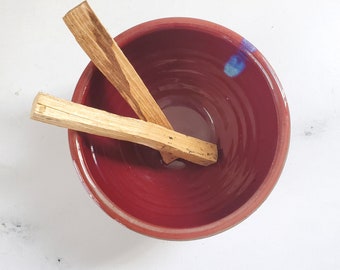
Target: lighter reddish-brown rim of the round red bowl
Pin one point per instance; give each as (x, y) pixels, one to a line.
(260, 195)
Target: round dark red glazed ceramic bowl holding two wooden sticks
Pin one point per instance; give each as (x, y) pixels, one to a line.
(212, 84)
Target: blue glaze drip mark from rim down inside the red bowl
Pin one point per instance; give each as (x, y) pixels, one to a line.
(237, 62)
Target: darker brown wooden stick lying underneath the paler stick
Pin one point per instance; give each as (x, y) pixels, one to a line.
(111, 61)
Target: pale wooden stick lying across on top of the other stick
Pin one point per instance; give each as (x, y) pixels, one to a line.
(67, 114)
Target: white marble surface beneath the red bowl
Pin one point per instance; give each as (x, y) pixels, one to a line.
(47, 220)
